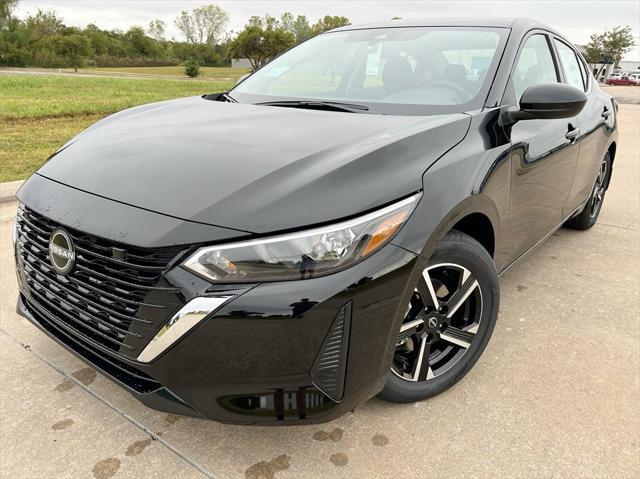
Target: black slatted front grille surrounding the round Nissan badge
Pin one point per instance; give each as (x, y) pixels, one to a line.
(114, 296)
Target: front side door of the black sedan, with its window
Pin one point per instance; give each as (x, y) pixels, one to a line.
(544, 153)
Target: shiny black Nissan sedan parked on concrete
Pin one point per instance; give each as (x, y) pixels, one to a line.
(331, 229)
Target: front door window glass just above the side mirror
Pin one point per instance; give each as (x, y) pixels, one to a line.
(535, 65)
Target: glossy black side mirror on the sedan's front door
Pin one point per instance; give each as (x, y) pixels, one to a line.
(549, 101)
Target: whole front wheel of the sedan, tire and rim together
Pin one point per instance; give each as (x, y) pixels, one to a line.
(465, 287)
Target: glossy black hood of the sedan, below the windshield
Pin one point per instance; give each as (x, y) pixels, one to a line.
(253, 168)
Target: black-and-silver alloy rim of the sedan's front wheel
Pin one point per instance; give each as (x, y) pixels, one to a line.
(441, 323)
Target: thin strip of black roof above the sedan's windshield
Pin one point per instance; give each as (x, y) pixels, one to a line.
(494, 22)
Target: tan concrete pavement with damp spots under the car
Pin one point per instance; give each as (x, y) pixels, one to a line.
(556, 394)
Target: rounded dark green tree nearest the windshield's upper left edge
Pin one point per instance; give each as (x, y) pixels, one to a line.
(260, 41)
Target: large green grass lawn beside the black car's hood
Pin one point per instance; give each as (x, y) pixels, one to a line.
(38, 114)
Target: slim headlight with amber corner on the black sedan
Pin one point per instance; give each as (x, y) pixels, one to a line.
(305, 254)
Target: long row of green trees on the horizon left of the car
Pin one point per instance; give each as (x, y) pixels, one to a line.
(43, 40)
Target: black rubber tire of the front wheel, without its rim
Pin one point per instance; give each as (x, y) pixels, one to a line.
(460, 249)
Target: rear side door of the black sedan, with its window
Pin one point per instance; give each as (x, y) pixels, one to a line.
(593, 121)
